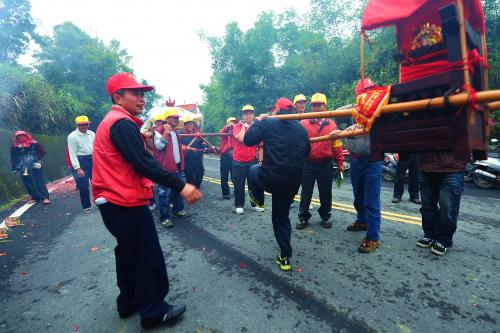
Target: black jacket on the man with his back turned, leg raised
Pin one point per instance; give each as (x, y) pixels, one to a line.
(286, 145)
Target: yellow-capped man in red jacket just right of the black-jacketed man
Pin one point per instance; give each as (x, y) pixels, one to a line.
(319, 165)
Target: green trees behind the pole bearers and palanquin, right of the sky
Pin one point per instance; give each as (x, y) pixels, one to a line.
(284, 55)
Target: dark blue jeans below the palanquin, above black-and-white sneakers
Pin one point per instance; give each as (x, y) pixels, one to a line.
(441, 193)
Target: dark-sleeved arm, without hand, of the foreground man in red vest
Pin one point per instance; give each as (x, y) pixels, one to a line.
(127, 139)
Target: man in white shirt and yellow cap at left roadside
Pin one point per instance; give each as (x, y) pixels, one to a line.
(80, 148)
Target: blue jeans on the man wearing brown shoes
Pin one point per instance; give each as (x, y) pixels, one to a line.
(366, 183)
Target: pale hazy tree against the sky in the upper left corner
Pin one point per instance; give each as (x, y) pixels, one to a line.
(16, 29)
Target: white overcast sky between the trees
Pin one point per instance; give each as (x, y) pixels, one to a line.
(161, 36)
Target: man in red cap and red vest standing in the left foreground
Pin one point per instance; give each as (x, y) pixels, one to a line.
(122, 169)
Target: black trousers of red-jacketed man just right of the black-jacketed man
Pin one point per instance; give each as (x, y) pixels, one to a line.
(322, 173)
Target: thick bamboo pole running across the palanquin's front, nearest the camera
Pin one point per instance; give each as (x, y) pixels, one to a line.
(482, 97)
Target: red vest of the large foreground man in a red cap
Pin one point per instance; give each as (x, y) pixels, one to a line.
(113, 178)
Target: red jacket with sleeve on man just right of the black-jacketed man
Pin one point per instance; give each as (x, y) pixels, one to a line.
(321, 151)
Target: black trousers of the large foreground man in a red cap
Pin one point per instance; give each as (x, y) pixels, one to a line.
(141, 273)
